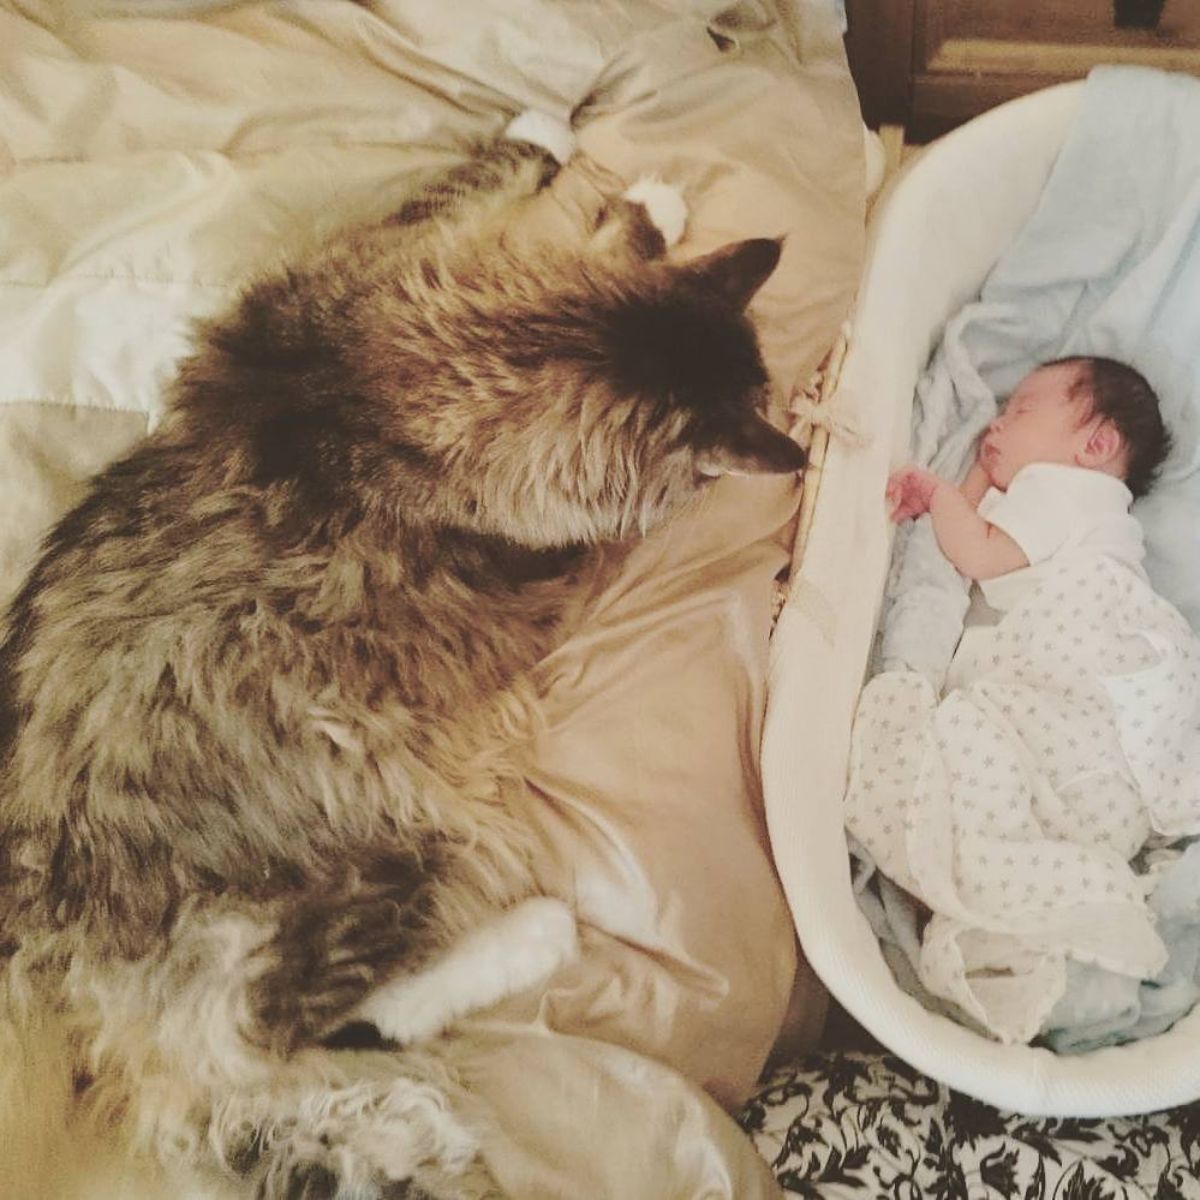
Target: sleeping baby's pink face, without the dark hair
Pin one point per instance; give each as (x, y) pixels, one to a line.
(1041, 423)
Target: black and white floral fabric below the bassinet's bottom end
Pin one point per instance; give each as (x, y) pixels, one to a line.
(850, 1126)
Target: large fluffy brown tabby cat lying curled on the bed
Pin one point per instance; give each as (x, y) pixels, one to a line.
(263, 695)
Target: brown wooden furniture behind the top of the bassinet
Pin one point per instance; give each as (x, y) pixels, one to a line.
(929, 65)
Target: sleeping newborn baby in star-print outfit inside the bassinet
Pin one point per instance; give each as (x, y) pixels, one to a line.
(1067, 735)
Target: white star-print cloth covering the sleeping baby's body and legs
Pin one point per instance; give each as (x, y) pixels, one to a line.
(1012, 806)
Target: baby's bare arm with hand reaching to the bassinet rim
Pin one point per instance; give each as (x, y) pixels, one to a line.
(976, 549)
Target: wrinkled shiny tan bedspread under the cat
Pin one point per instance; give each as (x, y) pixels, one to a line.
(148, 166)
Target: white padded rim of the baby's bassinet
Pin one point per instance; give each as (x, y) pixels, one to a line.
(935, 236)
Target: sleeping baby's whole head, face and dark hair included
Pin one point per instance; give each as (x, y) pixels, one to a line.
(1079, 412)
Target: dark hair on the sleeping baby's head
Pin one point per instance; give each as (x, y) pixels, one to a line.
(1123, 397)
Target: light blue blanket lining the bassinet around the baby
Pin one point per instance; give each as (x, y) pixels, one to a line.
(1109, 265)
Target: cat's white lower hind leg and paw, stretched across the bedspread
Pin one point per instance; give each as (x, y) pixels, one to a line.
(524, 947)
